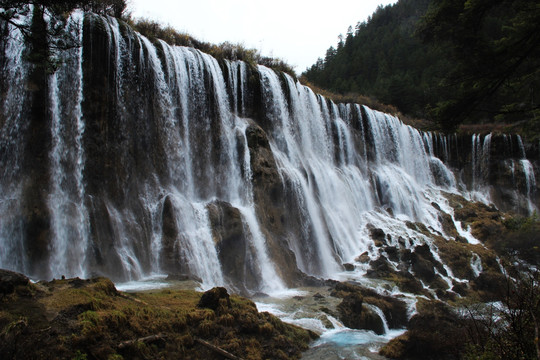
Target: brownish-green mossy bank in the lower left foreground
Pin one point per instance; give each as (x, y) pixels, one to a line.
(67, 318)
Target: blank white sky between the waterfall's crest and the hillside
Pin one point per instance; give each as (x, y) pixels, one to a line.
(297, 31)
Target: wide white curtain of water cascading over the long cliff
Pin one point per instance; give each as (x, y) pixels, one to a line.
(152, 144)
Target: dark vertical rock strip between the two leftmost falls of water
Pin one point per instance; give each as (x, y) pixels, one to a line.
(36, 174)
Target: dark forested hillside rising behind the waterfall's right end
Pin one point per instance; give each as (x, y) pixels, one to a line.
(451, 62)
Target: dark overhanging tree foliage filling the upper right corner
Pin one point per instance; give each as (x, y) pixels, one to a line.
(495, 45)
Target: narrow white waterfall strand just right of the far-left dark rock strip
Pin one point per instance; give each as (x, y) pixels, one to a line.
(66, 201)
